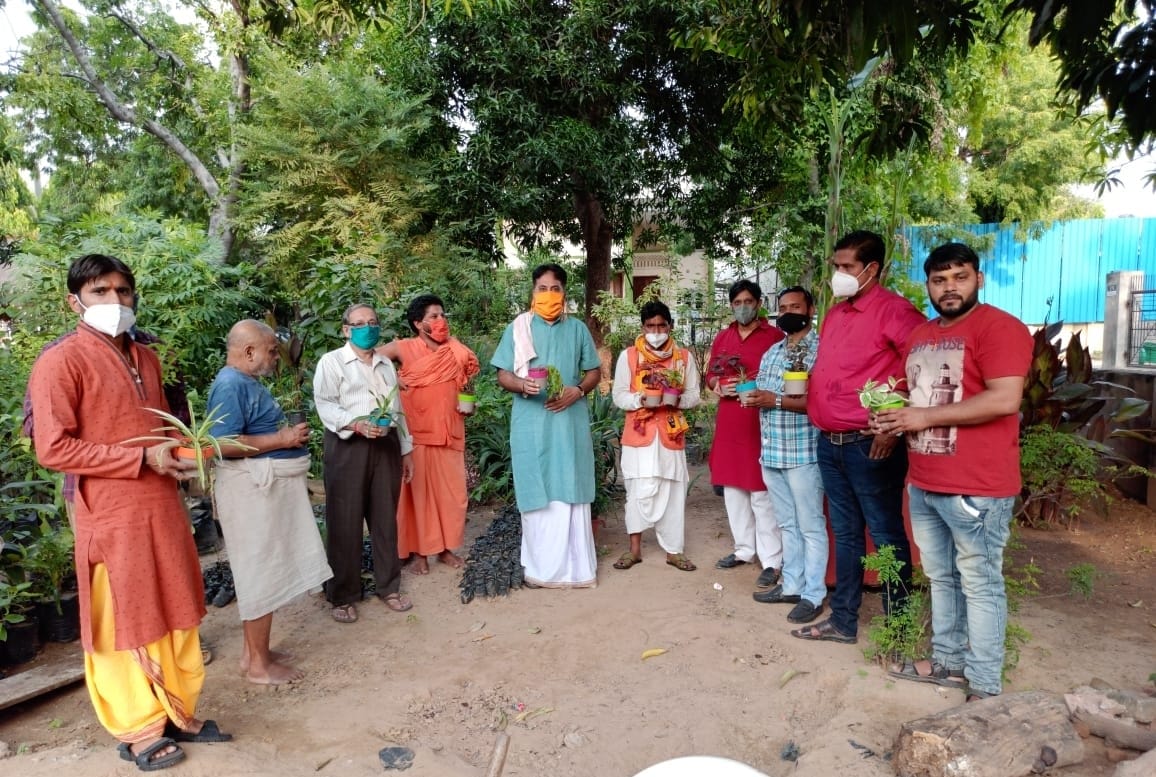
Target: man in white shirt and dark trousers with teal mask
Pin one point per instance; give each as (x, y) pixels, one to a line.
(366, 462)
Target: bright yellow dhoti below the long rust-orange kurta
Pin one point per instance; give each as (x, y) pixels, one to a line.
(137, 692)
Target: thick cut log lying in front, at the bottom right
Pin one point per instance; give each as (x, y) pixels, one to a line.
(1009, 736)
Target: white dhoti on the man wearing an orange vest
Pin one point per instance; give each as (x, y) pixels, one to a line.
(656, 478)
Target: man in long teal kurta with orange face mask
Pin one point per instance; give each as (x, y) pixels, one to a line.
(550, 436)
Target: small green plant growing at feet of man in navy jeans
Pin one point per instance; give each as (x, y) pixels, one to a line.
(902, 634)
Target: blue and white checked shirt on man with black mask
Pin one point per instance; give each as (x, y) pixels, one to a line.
(789, 440)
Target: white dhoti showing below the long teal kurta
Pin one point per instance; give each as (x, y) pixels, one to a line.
(558, 547)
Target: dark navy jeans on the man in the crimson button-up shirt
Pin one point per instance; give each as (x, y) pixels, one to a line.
(863, 493)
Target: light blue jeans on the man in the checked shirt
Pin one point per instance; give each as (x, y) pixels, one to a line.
(797, 499)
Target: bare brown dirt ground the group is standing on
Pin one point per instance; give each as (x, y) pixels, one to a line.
(562, 672)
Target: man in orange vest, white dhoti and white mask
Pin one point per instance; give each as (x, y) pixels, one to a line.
(654, 438)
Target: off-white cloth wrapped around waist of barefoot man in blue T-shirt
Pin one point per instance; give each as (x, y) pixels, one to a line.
(276, 551)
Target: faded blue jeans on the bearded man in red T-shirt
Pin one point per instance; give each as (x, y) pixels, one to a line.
(961, 543)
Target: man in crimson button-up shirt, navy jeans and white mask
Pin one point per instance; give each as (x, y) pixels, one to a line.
(862, 339)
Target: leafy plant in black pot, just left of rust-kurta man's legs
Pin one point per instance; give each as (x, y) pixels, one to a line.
(51, 563)
